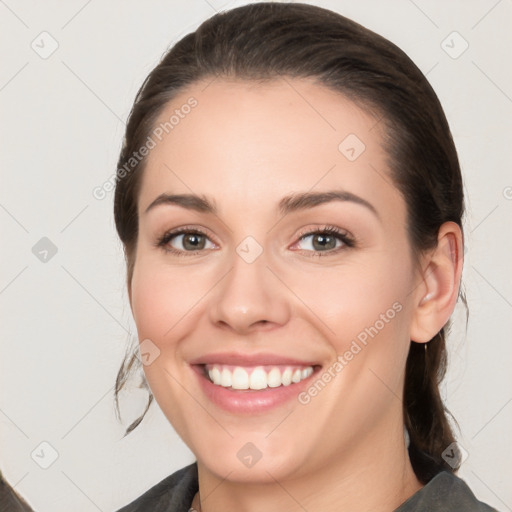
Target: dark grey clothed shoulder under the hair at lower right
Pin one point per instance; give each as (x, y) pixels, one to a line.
(446, 492)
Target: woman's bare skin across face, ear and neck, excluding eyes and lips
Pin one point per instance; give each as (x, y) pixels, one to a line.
(246, 146)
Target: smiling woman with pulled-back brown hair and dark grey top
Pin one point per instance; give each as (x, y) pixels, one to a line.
(290, 203)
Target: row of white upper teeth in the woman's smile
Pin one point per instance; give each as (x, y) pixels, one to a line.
(259, 378)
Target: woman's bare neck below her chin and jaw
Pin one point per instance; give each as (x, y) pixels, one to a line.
(376, 475)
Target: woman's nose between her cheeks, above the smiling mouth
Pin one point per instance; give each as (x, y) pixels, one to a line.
(249, 298)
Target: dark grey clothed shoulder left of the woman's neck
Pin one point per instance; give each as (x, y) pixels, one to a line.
(173, 494)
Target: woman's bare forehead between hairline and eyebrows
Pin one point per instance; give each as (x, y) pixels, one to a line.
(249, 143)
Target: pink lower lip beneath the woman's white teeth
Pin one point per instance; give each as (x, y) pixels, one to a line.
(248, 400)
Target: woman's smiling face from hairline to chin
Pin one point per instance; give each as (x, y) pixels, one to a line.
(295, 259)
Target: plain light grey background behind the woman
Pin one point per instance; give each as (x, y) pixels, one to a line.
(65, 322)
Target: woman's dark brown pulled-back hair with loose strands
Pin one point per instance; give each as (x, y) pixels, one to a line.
(263, 41)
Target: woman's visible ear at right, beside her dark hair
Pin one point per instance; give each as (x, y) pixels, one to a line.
(436, 296)
